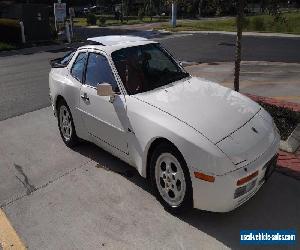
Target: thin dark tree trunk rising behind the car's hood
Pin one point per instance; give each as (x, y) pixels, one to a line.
(238, 48)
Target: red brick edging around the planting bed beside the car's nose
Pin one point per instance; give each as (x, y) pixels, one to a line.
(288, 163)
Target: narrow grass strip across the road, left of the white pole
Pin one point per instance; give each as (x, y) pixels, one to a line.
(111, 21)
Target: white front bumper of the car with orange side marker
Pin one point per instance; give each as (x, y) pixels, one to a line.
(219, 196)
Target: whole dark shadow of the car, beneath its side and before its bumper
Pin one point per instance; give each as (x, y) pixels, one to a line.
(275, 206)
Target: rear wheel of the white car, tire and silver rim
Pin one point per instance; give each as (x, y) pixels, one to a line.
(67, 131)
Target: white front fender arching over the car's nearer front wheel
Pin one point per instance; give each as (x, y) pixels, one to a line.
(148, 123)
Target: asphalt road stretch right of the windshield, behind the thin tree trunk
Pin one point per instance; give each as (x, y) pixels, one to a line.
(221, 48)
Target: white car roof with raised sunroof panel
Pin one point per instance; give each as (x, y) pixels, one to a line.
(113, 43)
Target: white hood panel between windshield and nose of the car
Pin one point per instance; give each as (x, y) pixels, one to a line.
(211, 109)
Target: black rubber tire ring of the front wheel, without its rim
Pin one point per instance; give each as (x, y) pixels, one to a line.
(187, 202)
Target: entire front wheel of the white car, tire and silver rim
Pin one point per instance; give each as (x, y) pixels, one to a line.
(170, 179)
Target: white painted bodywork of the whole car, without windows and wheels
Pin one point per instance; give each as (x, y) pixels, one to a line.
(209, 124)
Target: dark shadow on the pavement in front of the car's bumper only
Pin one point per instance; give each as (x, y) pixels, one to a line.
(275, 206)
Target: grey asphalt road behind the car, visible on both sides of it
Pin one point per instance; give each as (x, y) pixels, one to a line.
(24, 77)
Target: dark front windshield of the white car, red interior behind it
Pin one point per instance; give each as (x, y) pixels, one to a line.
(146, 67)
